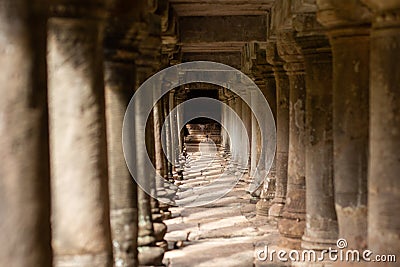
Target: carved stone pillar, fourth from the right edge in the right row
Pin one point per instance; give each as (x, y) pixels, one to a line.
(292, 225)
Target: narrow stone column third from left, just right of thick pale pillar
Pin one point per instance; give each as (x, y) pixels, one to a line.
(119, 81)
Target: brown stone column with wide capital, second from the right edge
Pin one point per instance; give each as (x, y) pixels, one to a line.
(349, 38)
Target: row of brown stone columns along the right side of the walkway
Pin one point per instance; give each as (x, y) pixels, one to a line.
(337, 111)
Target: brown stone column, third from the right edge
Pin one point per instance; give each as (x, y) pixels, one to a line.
(321, 222)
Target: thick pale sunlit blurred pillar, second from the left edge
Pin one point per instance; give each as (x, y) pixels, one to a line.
(80, 210)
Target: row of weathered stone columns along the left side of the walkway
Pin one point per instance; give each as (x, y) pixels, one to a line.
(70, 128)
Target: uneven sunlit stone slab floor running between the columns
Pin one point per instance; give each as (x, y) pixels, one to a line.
(225, 232)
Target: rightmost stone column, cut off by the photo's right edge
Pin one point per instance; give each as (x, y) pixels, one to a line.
(384, 167)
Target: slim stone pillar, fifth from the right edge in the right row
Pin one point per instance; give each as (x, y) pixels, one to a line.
(282, 140)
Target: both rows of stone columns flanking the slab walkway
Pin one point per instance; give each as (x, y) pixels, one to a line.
(329, 72)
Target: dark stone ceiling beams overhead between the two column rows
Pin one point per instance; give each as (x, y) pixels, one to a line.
(217, 30)
